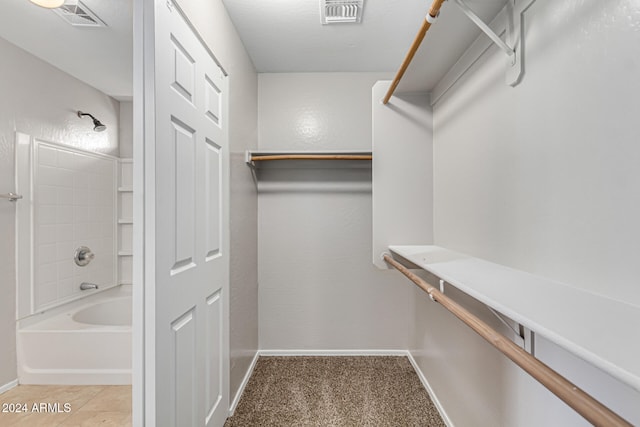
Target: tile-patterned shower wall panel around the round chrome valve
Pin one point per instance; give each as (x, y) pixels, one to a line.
(74, 205)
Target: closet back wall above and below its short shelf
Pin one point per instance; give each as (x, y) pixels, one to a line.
(318, 287)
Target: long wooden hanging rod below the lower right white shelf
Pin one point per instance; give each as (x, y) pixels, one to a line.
(589, 408)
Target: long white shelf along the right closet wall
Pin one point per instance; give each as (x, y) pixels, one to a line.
(597, 329)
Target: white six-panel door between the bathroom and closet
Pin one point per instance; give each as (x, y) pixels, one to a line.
(191, 264)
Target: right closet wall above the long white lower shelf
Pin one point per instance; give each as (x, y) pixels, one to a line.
(543, 177)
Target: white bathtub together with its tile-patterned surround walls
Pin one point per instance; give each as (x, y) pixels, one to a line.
(66, 335)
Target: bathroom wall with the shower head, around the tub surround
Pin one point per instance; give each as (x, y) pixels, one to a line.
(41, 101)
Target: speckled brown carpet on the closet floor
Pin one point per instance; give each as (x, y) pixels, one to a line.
(334, 391)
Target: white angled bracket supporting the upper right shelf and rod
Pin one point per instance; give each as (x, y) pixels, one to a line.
(513, 45)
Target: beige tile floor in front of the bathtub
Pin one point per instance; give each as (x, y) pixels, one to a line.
(106, 406)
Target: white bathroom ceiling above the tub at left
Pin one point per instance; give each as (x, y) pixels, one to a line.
(100, 57)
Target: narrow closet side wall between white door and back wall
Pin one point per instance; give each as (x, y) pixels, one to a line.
(213, 23)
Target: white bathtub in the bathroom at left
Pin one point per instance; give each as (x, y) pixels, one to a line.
(86, 342)
